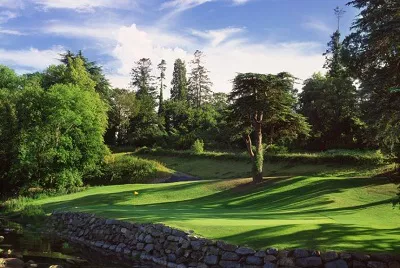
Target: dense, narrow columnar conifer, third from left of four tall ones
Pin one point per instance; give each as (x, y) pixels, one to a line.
(179, 90)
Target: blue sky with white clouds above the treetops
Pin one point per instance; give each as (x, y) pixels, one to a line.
(236, 36)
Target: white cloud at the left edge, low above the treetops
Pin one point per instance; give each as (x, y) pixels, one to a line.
(32, 58)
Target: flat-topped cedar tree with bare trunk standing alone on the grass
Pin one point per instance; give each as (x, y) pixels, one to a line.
(262, 101)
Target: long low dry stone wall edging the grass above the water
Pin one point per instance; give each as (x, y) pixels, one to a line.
(163, 246)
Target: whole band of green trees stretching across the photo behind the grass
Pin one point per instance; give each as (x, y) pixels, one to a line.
(55, 124)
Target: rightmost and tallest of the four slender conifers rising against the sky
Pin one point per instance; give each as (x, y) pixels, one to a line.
(199, 82)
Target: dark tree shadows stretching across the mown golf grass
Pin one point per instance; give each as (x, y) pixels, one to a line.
(284, 200)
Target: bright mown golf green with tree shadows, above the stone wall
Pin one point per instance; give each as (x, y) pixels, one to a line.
(337, 213)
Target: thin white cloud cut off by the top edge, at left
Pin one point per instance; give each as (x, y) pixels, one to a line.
(85, 5)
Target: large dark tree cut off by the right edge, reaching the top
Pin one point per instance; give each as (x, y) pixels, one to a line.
(372, 52)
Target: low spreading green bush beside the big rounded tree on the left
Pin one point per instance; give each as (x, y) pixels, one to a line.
(127, 169)
